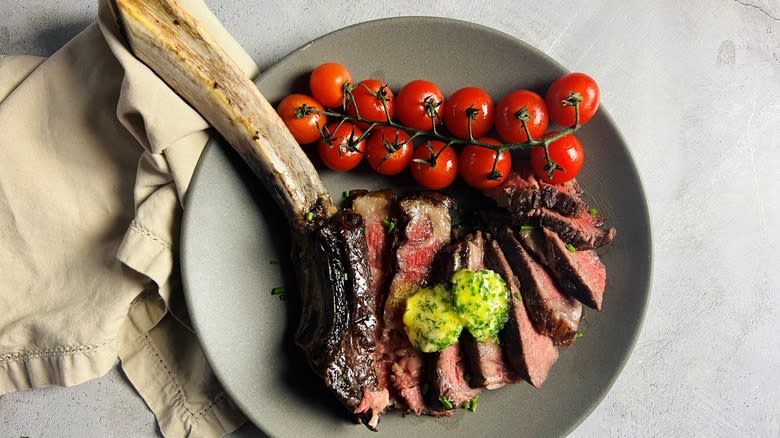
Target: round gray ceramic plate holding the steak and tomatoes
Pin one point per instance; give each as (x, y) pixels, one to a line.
(232, 232)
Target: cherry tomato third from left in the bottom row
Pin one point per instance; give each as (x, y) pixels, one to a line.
(389, 150)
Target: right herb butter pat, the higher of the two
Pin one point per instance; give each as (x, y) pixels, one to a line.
(481, 300)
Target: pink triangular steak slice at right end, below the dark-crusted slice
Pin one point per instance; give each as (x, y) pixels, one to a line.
(580, 273)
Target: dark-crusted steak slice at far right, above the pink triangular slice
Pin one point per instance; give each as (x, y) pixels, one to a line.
(585, 231)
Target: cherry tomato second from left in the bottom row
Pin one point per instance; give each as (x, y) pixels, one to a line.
(340, 150)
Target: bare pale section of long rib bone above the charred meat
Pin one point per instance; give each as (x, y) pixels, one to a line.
(171, 42)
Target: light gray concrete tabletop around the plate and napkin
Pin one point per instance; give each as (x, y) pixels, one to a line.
(694, 87)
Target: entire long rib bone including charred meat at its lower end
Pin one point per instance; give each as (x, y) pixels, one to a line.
(340, 345)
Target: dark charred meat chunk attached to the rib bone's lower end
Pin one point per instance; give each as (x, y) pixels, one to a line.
(338, 328)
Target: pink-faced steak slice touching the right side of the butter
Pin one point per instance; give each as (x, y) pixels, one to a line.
(529, 354)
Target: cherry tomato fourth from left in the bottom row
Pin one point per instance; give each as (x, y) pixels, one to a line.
(441, 172)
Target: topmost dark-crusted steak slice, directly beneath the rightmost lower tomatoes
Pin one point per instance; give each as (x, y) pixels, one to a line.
(521, 193)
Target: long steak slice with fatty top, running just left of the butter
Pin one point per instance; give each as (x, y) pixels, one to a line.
(426, 226)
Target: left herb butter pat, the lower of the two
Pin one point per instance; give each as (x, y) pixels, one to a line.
(430, 319)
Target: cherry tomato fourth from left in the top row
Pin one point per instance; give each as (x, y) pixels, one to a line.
(469, 103)
